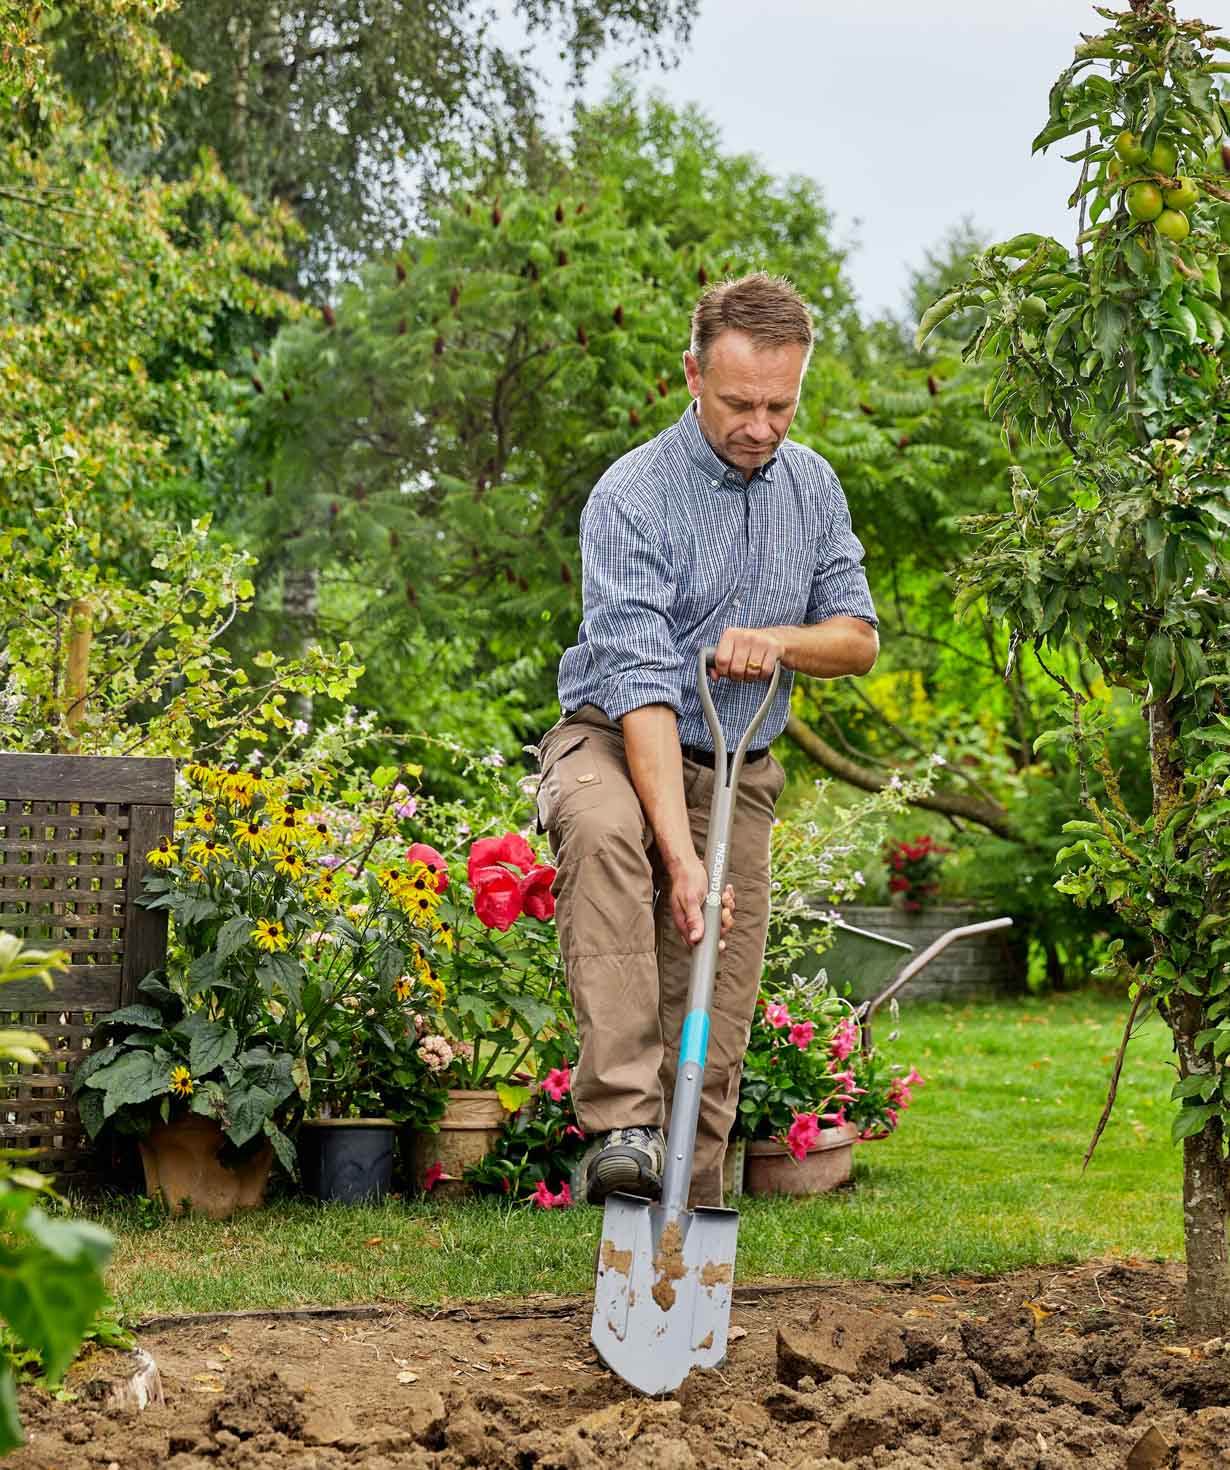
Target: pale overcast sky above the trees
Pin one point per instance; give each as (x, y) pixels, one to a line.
(909, 114)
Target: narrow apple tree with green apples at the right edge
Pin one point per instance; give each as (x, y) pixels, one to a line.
(1116, 356)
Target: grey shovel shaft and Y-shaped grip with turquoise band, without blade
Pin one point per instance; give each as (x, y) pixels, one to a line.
(694, 1044)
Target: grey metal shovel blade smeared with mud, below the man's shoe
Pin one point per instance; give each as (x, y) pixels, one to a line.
(662, 1303)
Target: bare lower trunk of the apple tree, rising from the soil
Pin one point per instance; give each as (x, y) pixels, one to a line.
(1206, 1196)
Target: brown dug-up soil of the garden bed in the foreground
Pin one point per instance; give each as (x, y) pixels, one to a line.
(1069, 1368)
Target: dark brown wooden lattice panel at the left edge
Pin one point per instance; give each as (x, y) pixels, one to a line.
(74, 836)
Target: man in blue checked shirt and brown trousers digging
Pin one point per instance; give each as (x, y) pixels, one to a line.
(719, 531)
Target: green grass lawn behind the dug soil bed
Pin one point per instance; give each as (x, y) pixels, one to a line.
(984, 1177)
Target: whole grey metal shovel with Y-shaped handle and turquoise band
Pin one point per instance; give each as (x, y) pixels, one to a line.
(666, 1274)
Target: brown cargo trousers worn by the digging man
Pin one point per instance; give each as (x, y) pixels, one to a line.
(627, 965)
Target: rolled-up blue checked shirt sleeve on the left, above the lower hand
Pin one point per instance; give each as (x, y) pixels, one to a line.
(628, 590)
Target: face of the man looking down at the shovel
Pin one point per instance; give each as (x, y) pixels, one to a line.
(747, 396)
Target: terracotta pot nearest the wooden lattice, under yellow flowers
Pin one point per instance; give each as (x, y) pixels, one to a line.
(181, 1165)
